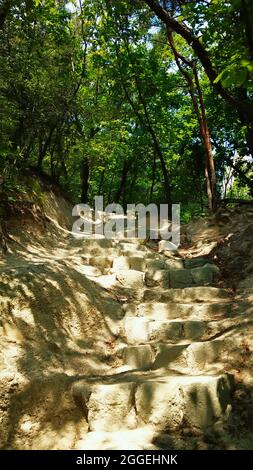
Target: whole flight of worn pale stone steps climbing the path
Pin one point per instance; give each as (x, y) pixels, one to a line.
(171, 343)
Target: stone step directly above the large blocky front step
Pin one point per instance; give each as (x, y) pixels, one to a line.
(188, 358)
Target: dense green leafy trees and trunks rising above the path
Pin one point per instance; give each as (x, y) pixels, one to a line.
(138, 101)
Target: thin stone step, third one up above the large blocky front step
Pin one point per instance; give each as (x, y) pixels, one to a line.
(171, 311)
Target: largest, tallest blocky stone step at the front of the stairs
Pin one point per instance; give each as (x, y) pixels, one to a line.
(164, 402)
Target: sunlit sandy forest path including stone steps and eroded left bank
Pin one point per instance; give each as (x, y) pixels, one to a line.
(114, 345)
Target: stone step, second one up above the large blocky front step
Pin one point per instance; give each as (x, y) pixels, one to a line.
(140, 330)
